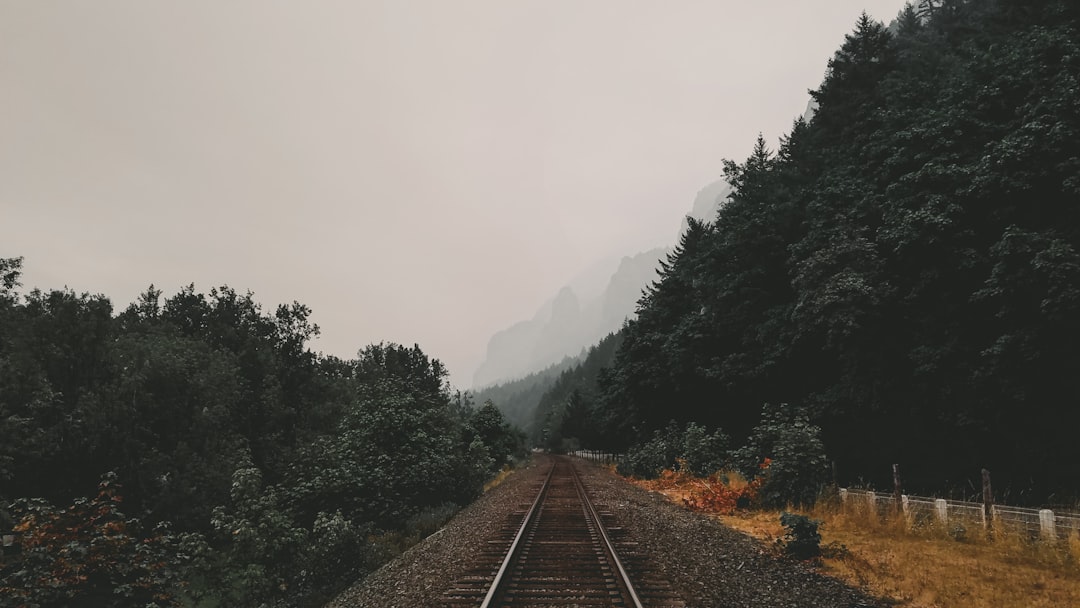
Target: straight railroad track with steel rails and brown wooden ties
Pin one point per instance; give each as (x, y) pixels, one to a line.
(559, 552)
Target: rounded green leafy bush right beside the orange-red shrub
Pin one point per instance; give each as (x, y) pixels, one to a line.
(798, 466)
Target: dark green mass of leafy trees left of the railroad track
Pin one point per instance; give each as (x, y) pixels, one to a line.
(192, 451)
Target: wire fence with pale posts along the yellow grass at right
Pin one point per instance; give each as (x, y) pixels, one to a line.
(1036, 523)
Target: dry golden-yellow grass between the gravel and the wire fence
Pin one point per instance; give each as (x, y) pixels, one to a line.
(926, 569)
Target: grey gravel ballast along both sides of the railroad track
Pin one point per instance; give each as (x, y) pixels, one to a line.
(708, 564)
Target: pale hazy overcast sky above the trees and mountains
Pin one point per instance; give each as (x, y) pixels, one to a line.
(414, 171)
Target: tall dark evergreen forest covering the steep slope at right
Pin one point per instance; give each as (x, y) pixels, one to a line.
(902, 274)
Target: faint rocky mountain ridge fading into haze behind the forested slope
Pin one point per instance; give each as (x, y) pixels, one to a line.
(569, 323)
